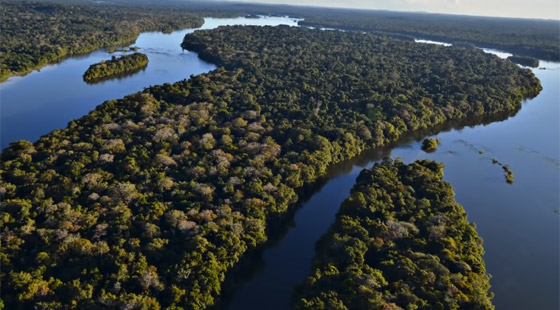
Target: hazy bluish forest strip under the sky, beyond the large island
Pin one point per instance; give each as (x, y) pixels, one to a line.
(526, 37)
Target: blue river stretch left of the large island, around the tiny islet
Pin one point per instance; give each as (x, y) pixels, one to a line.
(44, 100)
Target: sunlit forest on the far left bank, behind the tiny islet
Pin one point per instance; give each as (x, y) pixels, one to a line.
(37, 33)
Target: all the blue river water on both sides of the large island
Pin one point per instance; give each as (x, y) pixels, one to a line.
(517, 222)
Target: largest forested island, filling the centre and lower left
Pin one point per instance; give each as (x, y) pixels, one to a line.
(148, 201)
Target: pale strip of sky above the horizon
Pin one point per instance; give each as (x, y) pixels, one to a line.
(547, 9)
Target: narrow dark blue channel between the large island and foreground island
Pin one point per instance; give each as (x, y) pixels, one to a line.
(285, 263)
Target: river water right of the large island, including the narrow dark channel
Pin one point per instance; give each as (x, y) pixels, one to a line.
(517, 221)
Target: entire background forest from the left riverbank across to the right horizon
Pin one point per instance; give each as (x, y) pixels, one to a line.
(37, 33)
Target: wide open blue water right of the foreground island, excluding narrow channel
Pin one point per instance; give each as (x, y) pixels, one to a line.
(517, 221)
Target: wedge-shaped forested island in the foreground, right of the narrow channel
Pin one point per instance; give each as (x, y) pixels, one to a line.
(400, 241)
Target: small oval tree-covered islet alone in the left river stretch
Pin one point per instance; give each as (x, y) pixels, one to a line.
(116, 66)
